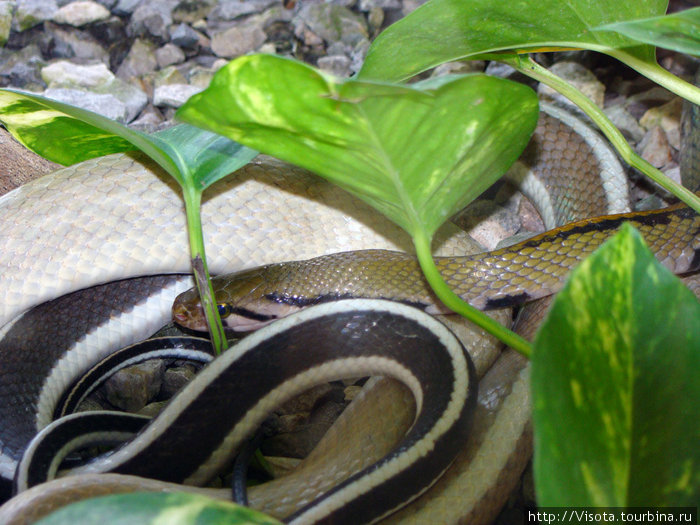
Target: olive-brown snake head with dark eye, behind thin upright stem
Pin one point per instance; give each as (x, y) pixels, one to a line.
(240, 299)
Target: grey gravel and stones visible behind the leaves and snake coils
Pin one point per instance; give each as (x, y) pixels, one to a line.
(136, 61)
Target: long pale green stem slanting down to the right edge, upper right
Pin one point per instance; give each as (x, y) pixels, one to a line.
(532, 69)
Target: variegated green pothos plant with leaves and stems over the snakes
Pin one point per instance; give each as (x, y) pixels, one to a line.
(369, 136)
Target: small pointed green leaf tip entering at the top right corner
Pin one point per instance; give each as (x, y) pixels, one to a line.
(679, 31)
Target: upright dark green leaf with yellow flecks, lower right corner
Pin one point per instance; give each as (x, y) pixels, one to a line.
(615, 381)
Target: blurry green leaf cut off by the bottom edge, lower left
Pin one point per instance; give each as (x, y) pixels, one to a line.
(177, 508)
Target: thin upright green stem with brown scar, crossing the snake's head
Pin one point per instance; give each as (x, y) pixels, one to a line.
(193, 200)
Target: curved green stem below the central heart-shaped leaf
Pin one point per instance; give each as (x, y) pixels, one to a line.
(457, 304)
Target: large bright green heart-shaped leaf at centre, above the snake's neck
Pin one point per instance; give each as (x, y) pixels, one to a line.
(417, 154)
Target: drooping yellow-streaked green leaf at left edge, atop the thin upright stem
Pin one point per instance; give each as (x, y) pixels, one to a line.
(67, 135)
